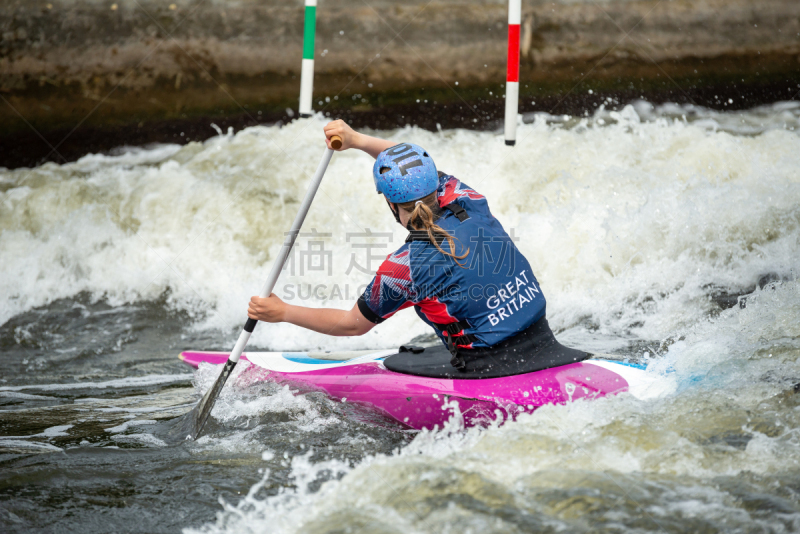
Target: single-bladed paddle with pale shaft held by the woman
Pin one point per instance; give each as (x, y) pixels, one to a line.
(196, 419)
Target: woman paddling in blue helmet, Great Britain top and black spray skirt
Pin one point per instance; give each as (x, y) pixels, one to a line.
(458, 268)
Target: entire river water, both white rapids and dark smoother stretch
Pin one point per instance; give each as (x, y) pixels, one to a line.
(669, 234)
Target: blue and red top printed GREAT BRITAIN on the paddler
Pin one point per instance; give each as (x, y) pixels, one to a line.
(491, 298)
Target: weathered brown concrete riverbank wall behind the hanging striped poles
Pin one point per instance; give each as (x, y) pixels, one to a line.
(100, 63)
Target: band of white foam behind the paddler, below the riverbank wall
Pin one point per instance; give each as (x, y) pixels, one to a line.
(616, 220)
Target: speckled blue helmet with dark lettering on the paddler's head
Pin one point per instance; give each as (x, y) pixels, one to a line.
(408, 173)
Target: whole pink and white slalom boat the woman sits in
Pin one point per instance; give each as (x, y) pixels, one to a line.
(420, 402)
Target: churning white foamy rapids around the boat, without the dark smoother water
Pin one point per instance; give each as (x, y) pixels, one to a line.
(635, 221)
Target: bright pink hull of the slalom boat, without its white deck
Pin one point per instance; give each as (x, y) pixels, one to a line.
(426, 403)
